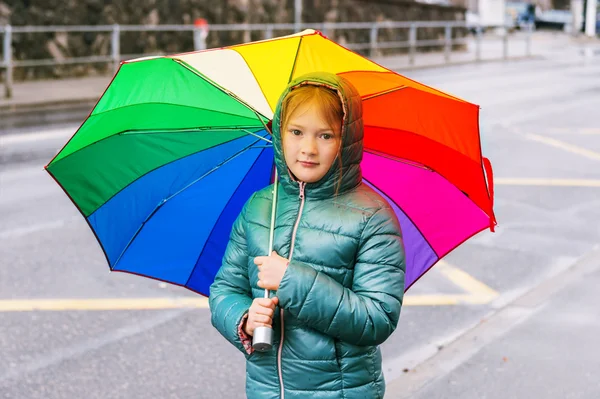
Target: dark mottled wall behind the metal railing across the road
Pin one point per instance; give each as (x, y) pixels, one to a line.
(61, 46)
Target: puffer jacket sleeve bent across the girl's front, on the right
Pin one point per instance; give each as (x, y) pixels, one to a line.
(366, 314)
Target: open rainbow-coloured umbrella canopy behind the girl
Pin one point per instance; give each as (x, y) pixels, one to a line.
(175, 146)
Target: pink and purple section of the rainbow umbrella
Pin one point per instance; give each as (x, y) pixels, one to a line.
(435, 216)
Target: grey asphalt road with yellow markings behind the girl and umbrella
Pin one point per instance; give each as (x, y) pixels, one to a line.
(510, 314)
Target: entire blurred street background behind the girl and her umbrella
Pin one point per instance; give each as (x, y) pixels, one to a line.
(508, 314)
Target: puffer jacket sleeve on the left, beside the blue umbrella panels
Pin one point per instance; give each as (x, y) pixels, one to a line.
(230, 294)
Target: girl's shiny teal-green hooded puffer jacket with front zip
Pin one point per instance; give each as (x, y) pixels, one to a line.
(342, 292)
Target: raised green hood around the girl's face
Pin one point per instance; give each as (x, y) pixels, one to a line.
(352, 139)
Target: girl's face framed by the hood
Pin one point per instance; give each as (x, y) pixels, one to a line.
(310, 145)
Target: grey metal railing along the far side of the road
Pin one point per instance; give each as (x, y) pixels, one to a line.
(372, 46)
